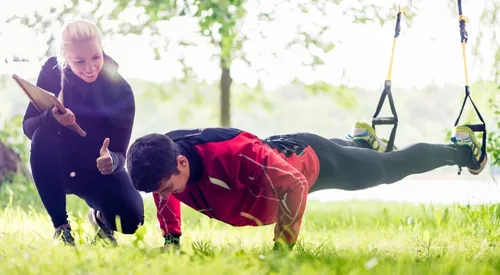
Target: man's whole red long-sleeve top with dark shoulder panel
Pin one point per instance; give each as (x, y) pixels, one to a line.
(241, 180)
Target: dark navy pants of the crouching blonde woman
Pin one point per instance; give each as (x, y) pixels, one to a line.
(57, 172)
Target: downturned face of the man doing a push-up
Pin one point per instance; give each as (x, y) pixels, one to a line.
(177, 182)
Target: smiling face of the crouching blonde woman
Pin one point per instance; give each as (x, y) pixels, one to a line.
(85, 59)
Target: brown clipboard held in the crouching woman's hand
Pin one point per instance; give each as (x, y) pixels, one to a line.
(44, 100)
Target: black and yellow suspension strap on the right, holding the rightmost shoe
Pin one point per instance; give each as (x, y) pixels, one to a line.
(463, 40)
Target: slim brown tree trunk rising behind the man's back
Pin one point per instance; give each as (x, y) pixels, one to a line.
(225, 96)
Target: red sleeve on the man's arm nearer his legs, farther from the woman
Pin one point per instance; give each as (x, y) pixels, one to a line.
(259, 164)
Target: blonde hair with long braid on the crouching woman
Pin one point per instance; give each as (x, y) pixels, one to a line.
(79, 30)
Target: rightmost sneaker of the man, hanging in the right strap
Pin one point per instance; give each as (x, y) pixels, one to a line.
(463, 135)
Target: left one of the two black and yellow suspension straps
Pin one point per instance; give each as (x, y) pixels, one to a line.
(387, 93)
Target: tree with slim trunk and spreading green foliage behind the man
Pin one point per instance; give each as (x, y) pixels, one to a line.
(224, 24)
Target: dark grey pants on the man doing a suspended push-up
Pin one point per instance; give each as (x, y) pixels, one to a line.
(350, 165)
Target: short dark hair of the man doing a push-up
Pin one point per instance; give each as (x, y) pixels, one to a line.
(151, 158)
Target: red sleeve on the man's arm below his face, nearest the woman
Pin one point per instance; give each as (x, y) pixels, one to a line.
(168, 214)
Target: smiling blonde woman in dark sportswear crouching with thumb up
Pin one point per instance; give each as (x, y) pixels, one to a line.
(96, 97)
